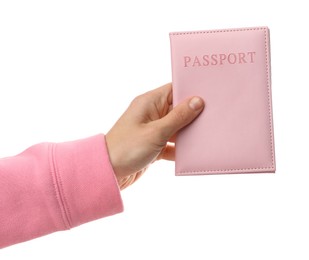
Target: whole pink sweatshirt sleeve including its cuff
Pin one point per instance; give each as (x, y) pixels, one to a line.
(56, 186)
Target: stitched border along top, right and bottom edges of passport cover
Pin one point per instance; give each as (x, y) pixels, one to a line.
(268, 91)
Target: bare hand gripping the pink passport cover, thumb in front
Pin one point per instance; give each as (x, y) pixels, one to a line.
(144, 132)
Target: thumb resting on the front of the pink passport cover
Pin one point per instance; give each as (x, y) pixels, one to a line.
(180, 116)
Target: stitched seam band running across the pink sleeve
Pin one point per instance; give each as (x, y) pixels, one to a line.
(58, 189)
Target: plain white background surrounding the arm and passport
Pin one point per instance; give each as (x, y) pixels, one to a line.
(68, 69)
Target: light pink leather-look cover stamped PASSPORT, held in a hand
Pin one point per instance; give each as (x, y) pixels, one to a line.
(230, 70)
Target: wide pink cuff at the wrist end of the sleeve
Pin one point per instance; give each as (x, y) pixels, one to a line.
(84, 180)
